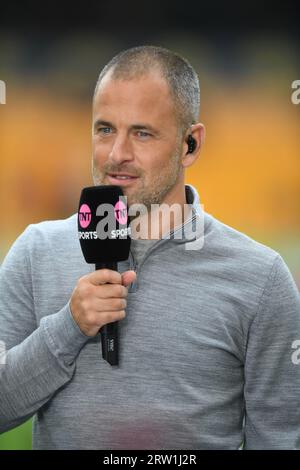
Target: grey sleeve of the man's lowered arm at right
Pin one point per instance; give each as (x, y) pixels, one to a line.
(272, 370)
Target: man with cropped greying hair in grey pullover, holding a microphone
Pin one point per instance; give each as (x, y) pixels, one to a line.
(207, 331)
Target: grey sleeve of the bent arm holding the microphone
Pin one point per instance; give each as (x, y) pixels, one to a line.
(36, 360)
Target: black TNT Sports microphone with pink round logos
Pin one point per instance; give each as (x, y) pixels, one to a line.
(104, 239)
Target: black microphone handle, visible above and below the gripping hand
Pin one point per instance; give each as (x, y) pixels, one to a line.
(109, 332)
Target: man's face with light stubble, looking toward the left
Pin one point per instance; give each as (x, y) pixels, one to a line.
(135, 135)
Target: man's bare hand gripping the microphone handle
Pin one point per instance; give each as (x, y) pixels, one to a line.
(100, 298)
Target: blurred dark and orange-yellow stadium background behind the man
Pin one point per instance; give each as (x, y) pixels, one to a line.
(248, 174)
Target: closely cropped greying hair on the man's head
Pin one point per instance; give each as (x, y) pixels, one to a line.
(177, 71)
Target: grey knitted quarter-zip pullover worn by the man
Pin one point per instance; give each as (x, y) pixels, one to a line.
(208, 348)
